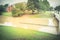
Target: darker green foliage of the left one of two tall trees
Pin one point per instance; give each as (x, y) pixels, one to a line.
(33, 4)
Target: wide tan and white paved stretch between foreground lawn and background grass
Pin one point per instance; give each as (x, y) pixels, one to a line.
(39, 24)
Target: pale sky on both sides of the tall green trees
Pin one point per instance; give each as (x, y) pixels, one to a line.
(53, 3)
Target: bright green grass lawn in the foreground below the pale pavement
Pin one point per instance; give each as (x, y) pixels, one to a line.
(13, 33)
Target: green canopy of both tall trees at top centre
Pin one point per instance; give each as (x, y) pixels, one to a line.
(38, 4)
